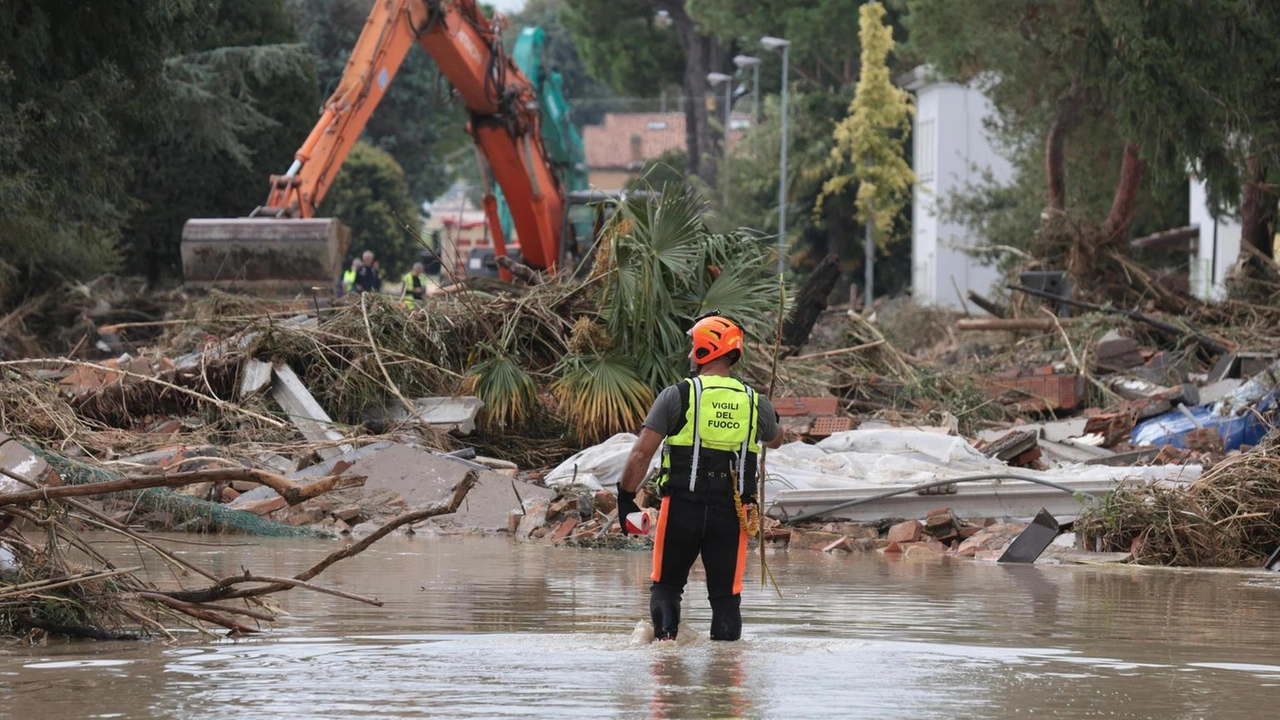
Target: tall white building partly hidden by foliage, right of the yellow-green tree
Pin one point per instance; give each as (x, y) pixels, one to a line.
(953, 151)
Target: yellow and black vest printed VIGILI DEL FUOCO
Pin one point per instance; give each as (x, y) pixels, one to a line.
(717, 441)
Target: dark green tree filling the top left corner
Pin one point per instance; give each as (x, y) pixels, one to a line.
(76, 79)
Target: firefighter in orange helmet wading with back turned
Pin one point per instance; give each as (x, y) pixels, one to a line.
(714, 426)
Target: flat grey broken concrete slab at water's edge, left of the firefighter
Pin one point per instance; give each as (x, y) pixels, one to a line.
(423, 479)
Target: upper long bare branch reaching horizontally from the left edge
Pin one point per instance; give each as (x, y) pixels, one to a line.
(292, 493)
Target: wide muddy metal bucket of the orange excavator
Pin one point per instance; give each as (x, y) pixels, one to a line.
(264, 256)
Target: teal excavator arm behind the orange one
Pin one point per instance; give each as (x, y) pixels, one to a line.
(560, 138)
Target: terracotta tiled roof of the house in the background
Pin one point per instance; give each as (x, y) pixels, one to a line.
(629, 140)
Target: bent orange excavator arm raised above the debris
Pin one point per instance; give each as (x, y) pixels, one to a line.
(502, 103)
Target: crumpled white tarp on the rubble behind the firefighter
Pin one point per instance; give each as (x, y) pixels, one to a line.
(861, 459)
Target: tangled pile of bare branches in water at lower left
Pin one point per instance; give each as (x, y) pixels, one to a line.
(56, 582)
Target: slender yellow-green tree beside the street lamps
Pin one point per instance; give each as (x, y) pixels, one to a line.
(874, 134)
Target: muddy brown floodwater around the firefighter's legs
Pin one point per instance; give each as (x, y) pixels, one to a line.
(486, 628)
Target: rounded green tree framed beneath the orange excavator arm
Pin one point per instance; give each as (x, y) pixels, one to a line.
(372, 198)
